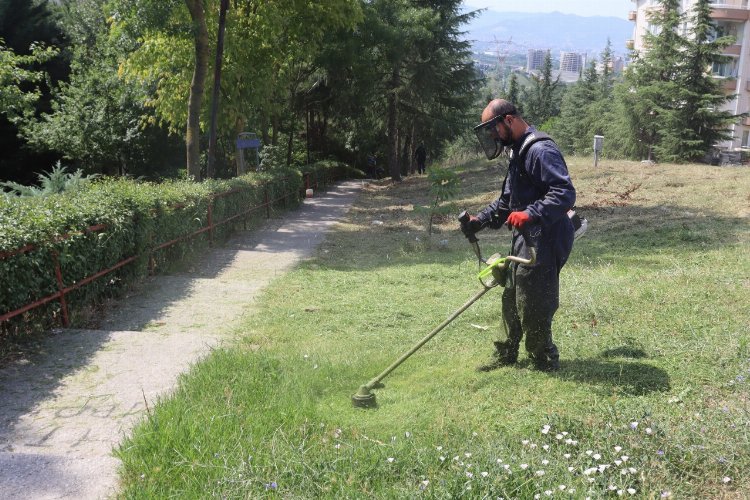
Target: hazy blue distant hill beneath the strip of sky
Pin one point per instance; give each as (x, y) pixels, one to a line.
(554, 30)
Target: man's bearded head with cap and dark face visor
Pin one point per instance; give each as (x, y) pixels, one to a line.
(501, 126)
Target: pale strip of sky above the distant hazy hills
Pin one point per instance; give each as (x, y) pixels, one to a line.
(613, 8)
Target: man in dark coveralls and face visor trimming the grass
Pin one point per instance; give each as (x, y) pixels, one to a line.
(536, 196)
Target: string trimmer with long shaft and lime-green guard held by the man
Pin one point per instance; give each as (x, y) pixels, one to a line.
(489, 277)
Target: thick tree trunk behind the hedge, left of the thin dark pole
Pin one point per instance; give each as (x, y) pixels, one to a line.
(193, 132)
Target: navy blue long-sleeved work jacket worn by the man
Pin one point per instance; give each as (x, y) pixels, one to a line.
(541, 186)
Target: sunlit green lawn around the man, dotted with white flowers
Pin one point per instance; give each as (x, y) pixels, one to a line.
(652, 400)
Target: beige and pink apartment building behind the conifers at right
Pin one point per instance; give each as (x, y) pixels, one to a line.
(732, 17)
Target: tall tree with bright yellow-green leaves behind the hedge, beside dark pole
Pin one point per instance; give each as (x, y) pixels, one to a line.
(266, 43)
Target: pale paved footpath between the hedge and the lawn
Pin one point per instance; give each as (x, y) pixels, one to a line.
(64, 409)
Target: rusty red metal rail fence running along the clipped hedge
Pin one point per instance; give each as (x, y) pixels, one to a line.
(63, 290)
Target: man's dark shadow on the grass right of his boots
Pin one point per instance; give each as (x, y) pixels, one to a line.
(628, 377)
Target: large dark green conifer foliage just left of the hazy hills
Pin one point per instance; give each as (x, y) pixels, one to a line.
(404, 76)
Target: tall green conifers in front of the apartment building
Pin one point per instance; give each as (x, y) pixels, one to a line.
(671, 102)
